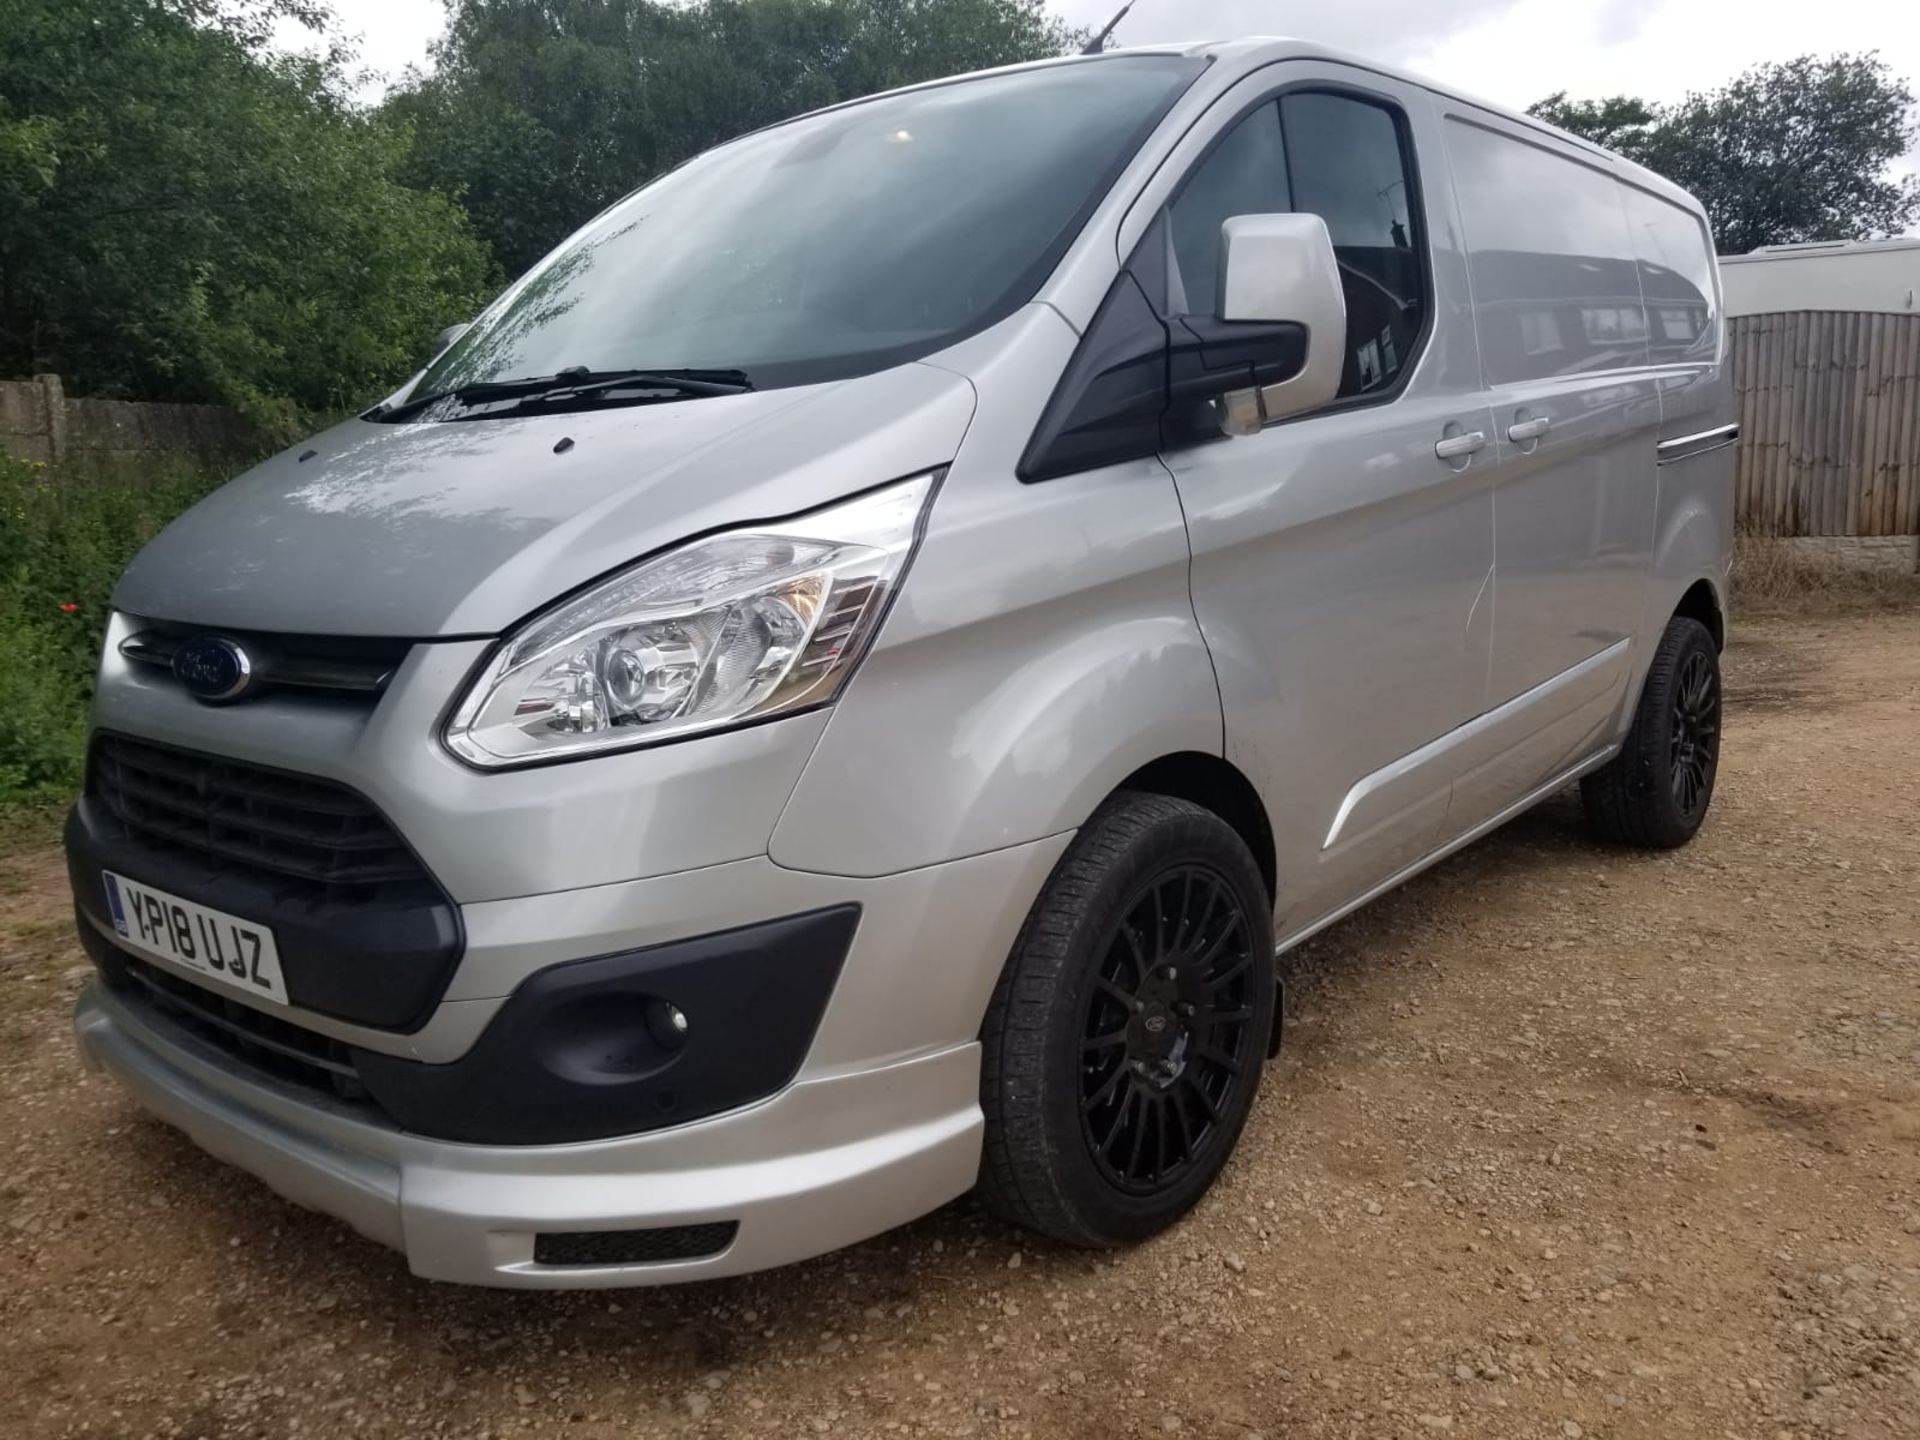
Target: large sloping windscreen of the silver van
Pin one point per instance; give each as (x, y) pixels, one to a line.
(836, 245)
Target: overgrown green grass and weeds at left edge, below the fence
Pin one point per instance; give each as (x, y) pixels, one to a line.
(64, 542)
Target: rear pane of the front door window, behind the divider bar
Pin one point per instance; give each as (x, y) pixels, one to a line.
(1351, 168)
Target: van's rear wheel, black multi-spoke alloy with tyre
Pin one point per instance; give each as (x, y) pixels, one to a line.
(1656, 792)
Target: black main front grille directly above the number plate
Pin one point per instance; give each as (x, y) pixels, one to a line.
(306, 836)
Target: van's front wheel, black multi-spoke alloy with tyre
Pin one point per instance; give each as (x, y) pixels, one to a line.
(1124, 1044)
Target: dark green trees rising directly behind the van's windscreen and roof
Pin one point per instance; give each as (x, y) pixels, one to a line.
(542, 112)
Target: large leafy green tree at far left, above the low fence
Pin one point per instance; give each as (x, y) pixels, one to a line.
(187, 214)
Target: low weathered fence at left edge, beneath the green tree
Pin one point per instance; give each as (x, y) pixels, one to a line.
(39, 423)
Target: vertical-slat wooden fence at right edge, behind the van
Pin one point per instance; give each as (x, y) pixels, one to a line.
(1829, 412)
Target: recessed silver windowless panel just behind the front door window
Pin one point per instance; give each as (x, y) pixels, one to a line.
(1556, 283)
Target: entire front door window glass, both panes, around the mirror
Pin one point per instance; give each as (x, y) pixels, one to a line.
(1347, 162)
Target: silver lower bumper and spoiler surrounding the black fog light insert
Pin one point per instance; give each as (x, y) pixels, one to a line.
(880, 1126)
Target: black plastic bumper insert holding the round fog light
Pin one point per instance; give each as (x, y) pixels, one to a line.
(590, 1049)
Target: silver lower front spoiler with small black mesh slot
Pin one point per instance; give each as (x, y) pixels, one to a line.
(819, 1166)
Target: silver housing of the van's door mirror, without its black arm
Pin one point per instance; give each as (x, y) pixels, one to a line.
(1280, 270)
